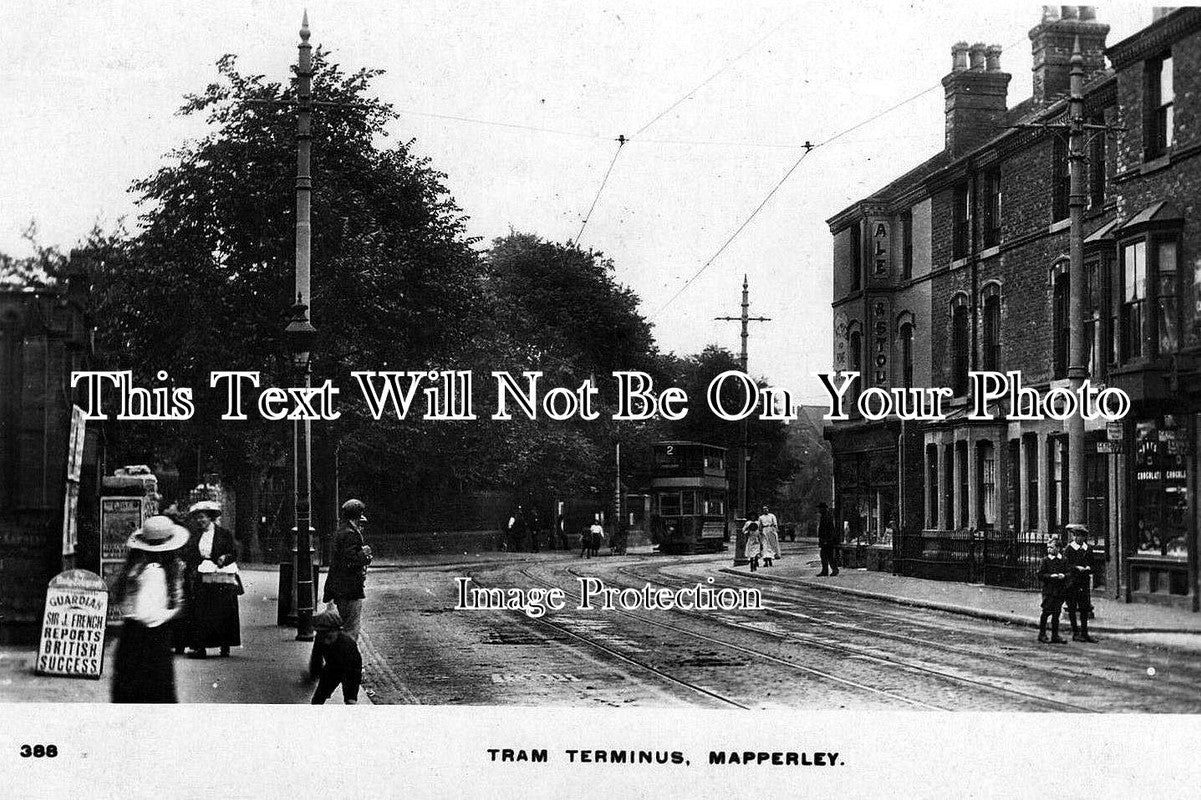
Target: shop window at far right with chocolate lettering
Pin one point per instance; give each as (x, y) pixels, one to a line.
(1162, 505)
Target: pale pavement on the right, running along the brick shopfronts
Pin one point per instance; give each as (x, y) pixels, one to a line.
(1015, 607)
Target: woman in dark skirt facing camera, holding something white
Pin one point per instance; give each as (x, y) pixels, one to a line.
(212, 583)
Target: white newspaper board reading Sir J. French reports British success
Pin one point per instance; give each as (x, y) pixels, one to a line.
(73, 642)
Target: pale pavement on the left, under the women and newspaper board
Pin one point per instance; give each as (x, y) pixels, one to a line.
(268, 668)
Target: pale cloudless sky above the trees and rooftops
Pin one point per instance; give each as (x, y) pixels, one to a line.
(91, 92)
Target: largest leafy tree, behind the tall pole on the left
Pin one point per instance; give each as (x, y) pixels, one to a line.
(207, 283)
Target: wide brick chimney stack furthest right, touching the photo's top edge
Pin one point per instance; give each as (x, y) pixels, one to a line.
(1053, 44)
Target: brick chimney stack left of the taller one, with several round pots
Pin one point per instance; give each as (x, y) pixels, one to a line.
(976, 97)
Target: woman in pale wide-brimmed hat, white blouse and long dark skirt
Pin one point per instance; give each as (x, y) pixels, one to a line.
(151, 593)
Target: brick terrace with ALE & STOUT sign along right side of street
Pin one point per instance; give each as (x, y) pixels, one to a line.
(963, 265)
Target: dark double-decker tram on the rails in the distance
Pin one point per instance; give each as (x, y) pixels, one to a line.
(689, 489)
